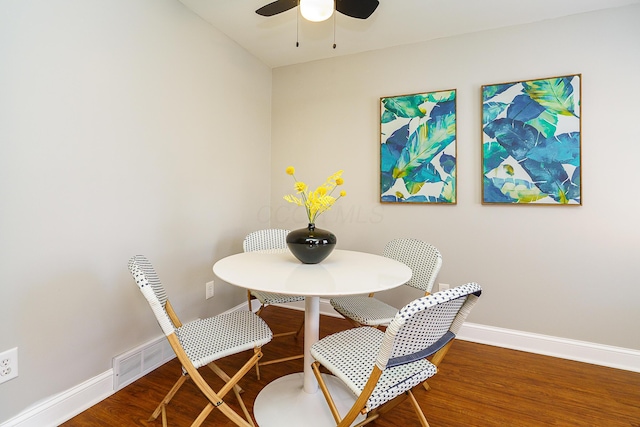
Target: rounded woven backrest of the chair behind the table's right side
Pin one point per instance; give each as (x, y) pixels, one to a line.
(424, 260)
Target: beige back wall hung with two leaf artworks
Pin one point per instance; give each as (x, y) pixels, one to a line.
(558, 271)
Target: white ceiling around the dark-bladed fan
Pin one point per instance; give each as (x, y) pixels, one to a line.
(395, 22)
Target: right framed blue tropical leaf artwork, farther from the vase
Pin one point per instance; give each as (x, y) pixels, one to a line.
(531, 142)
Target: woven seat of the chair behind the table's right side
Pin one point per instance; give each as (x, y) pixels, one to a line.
(364, 310)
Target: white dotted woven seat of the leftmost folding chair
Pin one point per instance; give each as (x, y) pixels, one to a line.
(234, 332)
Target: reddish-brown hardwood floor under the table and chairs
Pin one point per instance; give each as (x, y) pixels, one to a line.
(477, 385)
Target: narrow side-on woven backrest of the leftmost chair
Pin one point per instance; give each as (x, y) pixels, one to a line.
(149, 284)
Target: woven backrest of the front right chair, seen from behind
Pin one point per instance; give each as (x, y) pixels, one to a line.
(426, 324)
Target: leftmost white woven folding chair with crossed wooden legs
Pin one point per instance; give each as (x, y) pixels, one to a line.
(200, 342)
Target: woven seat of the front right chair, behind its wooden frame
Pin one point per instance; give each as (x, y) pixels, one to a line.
(350, 356)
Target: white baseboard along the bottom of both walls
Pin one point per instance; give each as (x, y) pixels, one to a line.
(68, 404)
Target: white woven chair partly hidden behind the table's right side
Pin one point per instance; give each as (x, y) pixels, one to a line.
(425, 262)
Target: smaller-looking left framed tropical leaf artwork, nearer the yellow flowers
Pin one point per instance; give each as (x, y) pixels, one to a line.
(418, 148)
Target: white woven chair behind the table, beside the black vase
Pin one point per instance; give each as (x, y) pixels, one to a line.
(269, 239)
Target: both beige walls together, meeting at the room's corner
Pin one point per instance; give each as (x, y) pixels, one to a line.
(119, 134)
